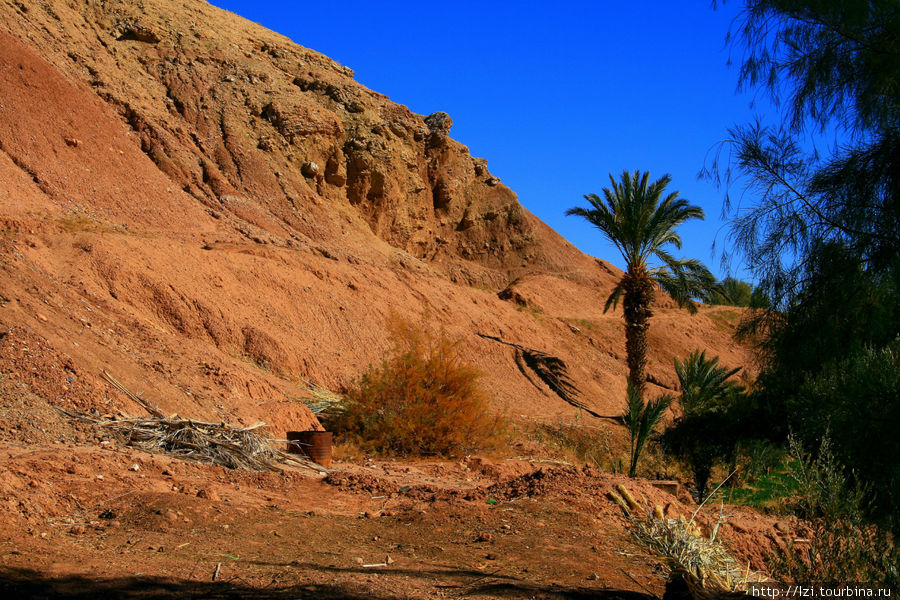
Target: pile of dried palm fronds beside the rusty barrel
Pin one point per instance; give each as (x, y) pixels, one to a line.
(211, 443)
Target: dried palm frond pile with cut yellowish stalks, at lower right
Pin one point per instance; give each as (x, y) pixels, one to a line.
(703, 564)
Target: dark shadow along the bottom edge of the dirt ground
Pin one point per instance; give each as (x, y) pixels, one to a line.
(20, 584)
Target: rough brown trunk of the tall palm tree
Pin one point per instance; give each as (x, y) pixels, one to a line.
(638, 287)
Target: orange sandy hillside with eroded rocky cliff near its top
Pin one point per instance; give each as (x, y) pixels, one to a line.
(210, 211)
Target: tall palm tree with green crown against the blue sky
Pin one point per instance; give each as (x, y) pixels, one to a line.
(640, 222)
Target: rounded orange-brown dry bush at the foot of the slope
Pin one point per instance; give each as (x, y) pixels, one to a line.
(422, 400)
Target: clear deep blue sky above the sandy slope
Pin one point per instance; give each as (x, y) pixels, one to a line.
(556, 95)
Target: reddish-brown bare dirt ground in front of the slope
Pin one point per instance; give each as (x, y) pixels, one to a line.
(103, 520)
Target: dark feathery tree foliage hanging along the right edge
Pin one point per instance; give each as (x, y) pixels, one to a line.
(822, 235)
